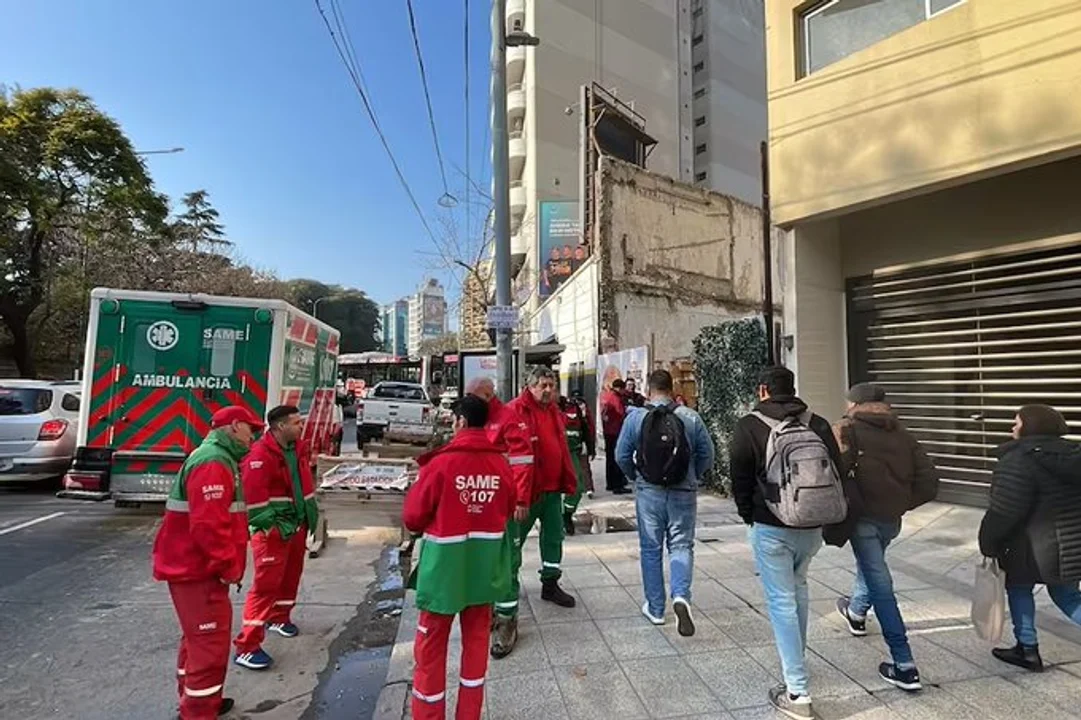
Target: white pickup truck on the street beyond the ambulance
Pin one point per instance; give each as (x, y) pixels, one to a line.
(401, 411)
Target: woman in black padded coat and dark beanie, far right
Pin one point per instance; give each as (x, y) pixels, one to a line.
(1034, 525)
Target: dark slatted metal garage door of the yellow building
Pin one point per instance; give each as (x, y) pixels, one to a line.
(959, 345)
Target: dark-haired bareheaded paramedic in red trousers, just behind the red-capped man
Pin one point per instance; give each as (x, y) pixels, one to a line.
(282, 512)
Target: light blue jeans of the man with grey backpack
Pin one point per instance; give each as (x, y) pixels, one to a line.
(783, 556)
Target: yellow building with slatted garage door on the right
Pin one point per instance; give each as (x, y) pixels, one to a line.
(925, 161)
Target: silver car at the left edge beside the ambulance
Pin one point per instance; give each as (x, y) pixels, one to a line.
(39, 422)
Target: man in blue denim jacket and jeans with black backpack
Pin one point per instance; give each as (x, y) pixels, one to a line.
(666, 512)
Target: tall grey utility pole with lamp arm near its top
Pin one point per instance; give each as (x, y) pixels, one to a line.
(501, 182)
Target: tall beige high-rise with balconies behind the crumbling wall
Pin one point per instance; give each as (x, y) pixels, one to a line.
(695, 71)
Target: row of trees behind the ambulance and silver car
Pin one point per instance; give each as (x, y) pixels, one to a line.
(78, 210)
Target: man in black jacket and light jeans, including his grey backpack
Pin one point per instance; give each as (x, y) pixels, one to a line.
(788, 486)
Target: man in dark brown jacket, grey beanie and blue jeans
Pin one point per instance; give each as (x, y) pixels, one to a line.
(895, 475)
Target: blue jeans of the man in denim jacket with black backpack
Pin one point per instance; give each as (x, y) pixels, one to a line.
(666, 516)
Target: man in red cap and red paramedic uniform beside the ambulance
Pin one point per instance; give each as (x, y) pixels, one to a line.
(201, 552)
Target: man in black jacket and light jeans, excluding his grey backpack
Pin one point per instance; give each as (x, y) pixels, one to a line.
(783, 554)
